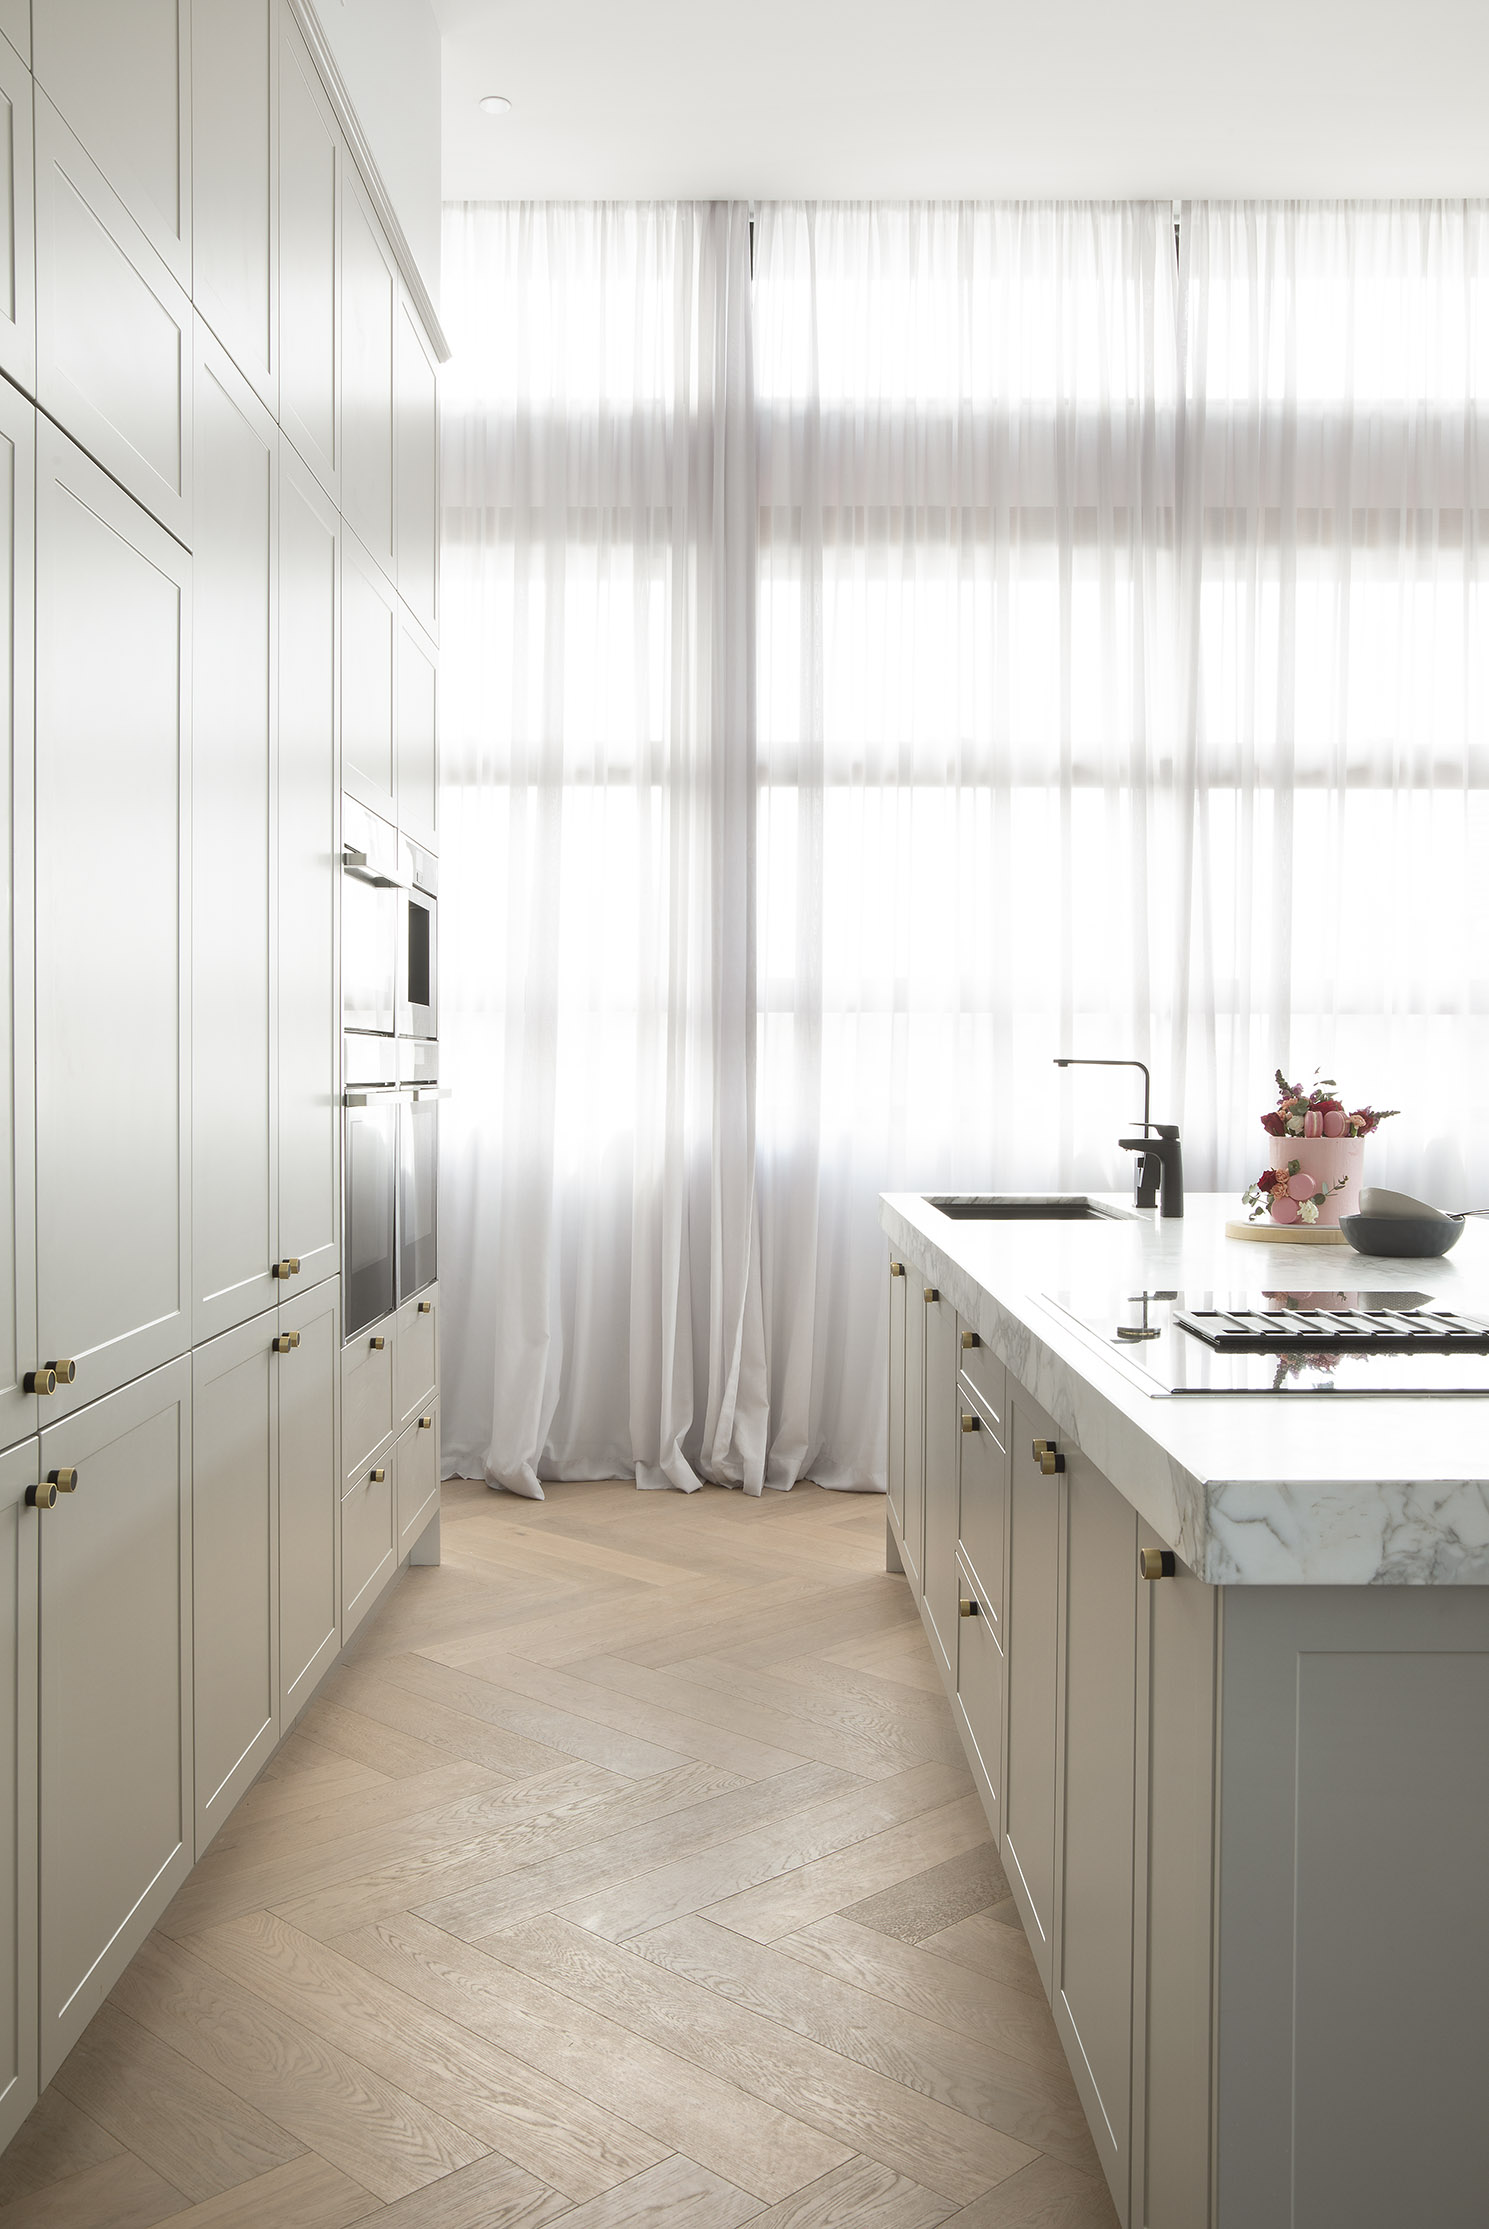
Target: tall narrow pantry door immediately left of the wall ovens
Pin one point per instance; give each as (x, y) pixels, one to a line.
(309, 877)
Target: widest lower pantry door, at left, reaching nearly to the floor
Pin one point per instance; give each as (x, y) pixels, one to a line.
(115, 1693)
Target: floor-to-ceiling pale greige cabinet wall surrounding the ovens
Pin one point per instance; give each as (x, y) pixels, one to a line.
(199, 286)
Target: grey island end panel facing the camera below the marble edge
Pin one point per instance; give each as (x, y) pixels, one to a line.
(1354, 1958)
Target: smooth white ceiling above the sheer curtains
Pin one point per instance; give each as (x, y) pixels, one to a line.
(659, 99)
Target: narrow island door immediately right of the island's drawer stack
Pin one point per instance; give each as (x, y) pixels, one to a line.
(1033, 1666)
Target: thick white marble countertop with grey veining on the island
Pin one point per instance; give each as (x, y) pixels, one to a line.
(1249, 1490)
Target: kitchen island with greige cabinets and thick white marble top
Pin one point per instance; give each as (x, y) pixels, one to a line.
(1245, 1800)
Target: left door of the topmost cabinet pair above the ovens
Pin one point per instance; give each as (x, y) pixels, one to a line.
(369, 309)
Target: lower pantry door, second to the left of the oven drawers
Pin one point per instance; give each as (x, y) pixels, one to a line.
(235, 1564)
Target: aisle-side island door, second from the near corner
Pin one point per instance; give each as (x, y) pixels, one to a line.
(1093, 1829)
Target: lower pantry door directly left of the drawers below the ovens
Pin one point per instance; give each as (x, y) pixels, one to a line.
(309, 1495)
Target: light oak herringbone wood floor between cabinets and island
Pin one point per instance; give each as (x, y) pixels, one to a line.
(627, 1873)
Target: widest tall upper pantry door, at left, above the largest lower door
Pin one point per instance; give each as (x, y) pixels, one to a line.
(113, 899)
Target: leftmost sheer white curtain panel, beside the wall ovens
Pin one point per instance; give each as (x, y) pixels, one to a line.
(598, 884)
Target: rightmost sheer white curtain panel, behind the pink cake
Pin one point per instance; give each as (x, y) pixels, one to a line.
(1336, 648)
